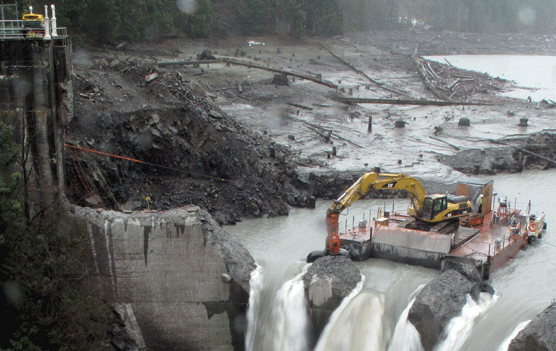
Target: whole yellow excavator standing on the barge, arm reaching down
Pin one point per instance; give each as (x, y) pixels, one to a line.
(426, 209)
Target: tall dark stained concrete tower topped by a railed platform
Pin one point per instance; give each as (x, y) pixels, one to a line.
(36, 98)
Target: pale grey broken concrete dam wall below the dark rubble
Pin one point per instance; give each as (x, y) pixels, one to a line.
(184, 278)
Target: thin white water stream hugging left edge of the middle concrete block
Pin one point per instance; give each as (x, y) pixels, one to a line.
(406, 337)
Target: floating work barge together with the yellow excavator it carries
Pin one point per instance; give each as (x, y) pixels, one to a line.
(479, 241)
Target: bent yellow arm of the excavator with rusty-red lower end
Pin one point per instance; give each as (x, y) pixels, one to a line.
(359, 188)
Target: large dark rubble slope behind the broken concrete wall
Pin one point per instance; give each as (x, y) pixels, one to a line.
(175, 148)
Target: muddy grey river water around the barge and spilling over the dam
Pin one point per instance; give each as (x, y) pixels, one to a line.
(371, 320)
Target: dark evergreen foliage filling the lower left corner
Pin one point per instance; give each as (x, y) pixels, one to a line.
(50, 299)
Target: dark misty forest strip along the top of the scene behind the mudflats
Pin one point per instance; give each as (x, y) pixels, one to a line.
(114, 21)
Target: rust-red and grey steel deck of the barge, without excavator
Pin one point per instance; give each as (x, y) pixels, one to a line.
(490, 245)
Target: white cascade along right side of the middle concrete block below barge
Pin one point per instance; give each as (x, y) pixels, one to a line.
(460, 327)
